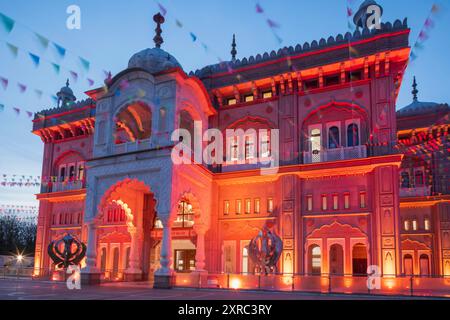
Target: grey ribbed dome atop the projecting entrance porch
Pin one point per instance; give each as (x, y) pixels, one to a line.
(153, 60)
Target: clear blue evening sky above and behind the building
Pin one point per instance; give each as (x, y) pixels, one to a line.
(112, 31)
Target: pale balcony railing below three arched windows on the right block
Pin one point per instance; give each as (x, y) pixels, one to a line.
(327, 155)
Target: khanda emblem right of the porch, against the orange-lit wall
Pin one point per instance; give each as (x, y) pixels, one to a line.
(265, 251)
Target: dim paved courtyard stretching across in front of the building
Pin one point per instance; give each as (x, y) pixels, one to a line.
(26, 289)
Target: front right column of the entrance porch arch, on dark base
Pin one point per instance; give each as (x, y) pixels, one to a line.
(164, 276)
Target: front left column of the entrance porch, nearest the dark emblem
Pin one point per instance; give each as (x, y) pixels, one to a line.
(91, 274)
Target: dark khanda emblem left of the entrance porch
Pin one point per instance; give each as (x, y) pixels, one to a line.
(67, 251)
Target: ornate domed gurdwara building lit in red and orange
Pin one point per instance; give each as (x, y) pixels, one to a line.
(353, 189)
